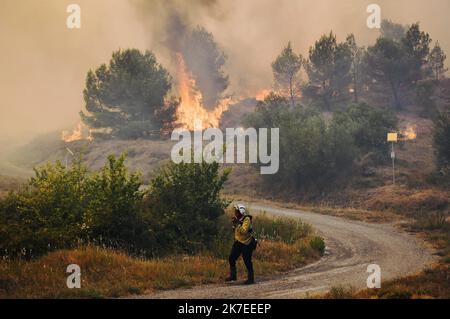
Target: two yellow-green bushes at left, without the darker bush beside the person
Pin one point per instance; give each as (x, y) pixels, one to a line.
(62, 207)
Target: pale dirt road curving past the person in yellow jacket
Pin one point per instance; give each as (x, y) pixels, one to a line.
(351, 247)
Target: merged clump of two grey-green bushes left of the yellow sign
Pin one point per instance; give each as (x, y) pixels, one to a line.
(315, 152)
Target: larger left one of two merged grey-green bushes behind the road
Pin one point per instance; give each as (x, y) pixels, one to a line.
(311, 150)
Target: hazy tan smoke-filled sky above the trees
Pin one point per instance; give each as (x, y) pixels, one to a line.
(43, 64)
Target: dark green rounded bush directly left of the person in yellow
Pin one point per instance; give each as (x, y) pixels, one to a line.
(184, 202)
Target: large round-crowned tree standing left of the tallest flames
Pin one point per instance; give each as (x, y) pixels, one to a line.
(127, 97)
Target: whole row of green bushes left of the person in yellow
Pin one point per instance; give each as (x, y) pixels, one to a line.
(63, 207)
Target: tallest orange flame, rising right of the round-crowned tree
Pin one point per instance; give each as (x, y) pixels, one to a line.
(191, 110)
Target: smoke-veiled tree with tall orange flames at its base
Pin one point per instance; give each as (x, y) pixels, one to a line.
(200, 79)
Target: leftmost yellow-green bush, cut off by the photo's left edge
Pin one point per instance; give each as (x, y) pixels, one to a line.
(48, 214)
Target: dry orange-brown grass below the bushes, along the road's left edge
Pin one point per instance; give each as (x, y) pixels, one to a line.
(107, 273)
